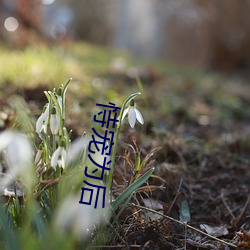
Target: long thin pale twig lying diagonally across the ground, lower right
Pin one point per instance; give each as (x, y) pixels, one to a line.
(184, 224)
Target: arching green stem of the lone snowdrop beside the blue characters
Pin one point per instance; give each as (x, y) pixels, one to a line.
(117, 131)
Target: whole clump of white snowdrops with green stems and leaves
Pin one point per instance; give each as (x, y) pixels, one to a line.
(44, 174)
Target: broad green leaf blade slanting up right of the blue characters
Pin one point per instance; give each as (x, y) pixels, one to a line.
(128, 191)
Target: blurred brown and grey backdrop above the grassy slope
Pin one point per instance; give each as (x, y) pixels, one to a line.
(211, 34)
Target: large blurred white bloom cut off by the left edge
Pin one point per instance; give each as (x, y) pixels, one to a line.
(17, 152)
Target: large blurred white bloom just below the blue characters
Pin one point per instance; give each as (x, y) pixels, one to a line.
(77, 219)
